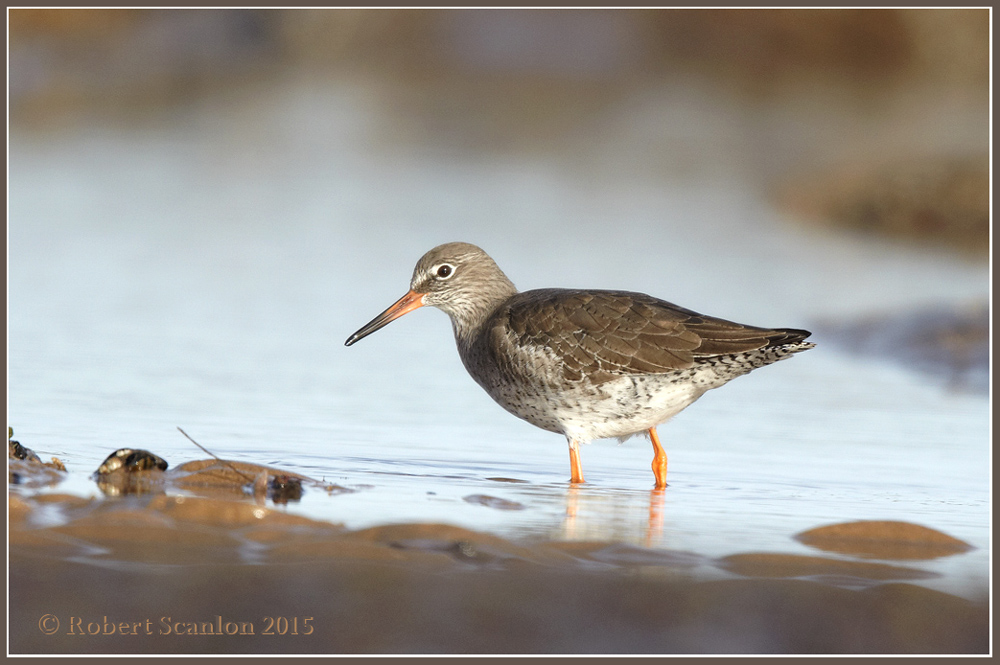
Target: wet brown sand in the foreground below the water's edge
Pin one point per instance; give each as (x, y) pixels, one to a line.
(230, 572)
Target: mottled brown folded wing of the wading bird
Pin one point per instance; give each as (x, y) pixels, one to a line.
(605, 334)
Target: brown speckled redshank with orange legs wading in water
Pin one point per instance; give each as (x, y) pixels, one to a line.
(585, 364)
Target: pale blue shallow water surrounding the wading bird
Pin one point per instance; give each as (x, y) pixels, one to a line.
(204, 274)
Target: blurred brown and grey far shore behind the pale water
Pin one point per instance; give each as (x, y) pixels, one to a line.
(880, 115)
